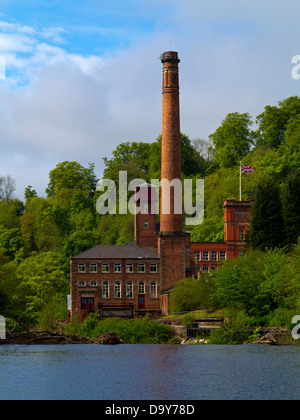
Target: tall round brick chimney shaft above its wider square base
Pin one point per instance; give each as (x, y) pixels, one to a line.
(170, 153)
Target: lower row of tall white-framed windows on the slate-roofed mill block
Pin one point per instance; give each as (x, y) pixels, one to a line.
(117, 289)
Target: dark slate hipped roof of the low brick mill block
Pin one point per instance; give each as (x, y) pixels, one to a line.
(117, 252)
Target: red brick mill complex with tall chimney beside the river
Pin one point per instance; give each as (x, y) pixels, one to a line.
(136, 278)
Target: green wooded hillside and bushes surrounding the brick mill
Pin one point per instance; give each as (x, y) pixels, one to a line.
(39, 234)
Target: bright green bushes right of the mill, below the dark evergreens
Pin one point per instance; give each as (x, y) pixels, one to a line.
(260, 283)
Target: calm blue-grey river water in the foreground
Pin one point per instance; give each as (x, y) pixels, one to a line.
(149, 372)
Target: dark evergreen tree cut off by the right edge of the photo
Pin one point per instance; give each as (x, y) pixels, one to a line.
(291, 206)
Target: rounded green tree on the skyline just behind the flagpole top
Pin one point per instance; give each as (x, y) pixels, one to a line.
(233, 139)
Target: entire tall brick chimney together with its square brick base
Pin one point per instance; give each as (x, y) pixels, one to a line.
(171, 242)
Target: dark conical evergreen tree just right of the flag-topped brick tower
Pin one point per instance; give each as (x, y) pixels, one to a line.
(266, 225)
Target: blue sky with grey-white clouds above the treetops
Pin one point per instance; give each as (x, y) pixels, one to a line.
(79, 77)
